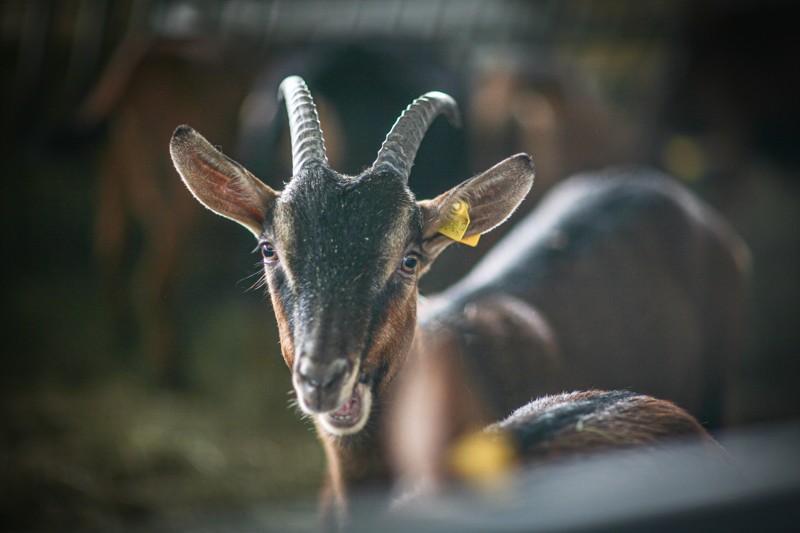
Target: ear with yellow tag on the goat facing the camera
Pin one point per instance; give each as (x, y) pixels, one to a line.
(481, 204)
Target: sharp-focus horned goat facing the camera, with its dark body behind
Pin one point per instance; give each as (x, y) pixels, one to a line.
(640, 261)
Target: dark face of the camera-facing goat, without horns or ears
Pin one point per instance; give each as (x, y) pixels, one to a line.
(342, 256)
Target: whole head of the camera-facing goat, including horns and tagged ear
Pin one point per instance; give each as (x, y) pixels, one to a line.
(343, 254)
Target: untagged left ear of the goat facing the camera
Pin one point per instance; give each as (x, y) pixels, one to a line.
(218, 182)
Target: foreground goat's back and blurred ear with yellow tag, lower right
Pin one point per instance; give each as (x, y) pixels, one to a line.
(437, 436)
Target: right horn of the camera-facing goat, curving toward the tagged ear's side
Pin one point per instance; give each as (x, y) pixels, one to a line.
(400, 147)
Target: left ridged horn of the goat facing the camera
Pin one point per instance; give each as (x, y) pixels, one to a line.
(307, 142)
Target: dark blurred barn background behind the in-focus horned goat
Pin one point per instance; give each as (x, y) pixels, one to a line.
(141, 377)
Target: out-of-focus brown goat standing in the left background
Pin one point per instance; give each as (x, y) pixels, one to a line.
(147, 87)
